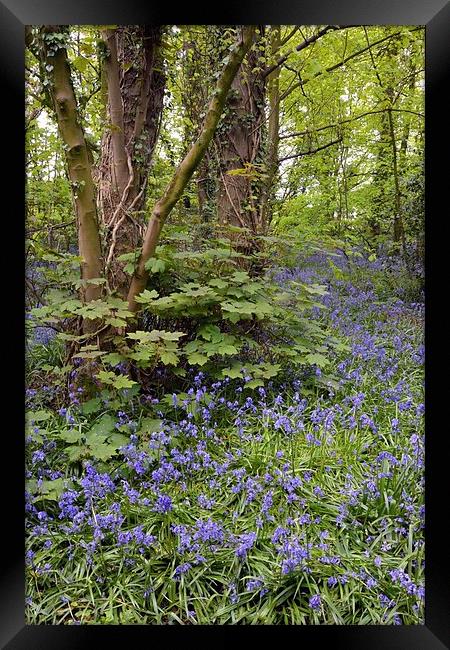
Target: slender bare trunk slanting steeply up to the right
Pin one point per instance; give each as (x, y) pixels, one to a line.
(189, 164)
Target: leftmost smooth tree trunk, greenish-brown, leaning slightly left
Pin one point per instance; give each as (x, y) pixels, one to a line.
(77, 157)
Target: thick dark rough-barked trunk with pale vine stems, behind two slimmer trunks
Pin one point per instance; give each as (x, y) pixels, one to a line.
(135, 87)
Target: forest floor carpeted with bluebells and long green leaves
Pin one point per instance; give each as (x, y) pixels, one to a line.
(287, 504)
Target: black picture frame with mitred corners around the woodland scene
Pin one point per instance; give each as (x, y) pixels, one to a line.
(435, 16)
